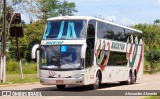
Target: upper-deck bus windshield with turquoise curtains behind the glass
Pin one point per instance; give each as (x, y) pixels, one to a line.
(65, 29)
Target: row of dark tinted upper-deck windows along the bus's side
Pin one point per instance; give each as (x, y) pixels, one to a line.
(105, 30)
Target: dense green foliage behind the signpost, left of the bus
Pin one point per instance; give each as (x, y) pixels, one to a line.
(32, 35)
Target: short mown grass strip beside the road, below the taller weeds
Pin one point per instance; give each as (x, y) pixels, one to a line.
(16, 79)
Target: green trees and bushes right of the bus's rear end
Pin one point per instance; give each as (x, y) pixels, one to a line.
(151, 36)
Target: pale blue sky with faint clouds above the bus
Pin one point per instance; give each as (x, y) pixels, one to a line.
(125, 12)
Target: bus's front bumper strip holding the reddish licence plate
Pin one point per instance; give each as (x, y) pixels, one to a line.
(61, 81)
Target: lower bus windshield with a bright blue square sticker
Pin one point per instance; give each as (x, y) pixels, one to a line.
(61, 57)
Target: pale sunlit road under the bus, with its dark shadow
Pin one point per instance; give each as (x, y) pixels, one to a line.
(148, 82)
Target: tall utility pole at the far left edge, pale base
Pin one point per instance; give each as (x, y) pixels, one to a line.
(3, 50)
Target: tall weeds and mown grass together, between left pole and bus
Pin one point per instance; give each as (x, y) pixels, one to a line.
(13, 72)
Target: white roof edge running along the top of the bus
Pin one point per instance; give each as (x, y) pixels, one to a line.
(89, 18)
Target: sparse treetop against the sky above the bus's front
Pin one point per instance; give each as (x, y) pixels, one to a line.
(52, 8)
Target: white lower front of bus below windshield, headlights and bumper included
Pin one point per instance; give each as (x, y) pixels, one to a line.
(50, 77)
